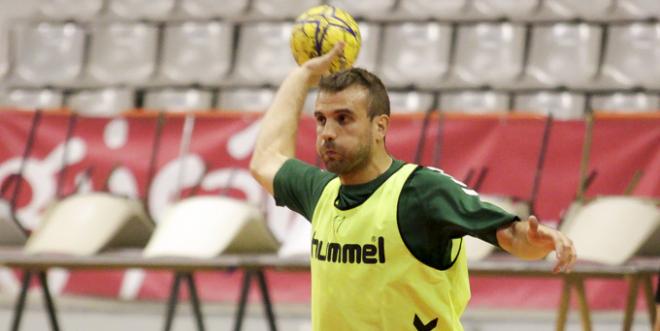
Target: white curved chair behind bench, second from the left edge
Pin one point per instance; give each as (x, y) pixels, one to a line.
(86, 224)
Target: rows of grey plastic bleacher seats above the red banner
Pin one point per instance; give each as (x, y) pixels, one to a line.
(555, 56)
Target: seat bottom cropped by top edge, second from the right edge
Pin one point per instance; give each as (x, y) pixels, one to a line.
(588, 10)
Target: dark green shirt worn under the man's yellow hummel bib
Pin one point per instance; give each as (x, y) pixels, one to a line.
(433, 207)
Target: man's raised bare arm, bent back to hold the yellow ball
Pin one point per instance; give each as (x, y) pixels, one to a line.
(277, 139)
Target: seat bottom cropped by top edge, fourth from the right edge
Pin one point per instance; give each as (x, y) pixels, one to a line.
(441, 9)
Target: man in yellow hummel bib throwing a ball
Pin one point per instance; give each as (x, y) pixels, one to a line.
(386, 244)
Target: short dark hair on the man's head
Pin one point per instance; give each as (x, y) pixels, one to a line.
(379, 101)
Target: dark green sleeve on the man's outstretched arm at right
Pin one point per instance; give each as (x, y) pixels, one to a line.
(455, 209)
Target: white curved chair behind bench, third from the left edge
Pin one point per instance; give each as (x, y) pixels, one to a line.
(207, 226)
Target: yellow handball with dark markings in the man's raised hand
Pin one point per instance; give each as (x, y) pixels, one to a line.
(318, 29)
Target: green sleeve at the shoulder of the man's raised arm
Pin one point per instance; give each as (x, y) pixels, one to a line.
(299, 185)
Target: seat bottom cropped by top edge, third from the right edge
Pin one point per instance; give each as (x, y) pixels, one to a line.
(512, 9)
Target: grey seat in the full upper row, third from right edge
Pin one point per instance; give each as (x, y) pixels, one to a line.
(489, 54)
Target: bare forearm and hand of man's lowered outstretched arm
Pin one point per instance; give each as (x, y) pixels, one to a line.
(531, 241)
